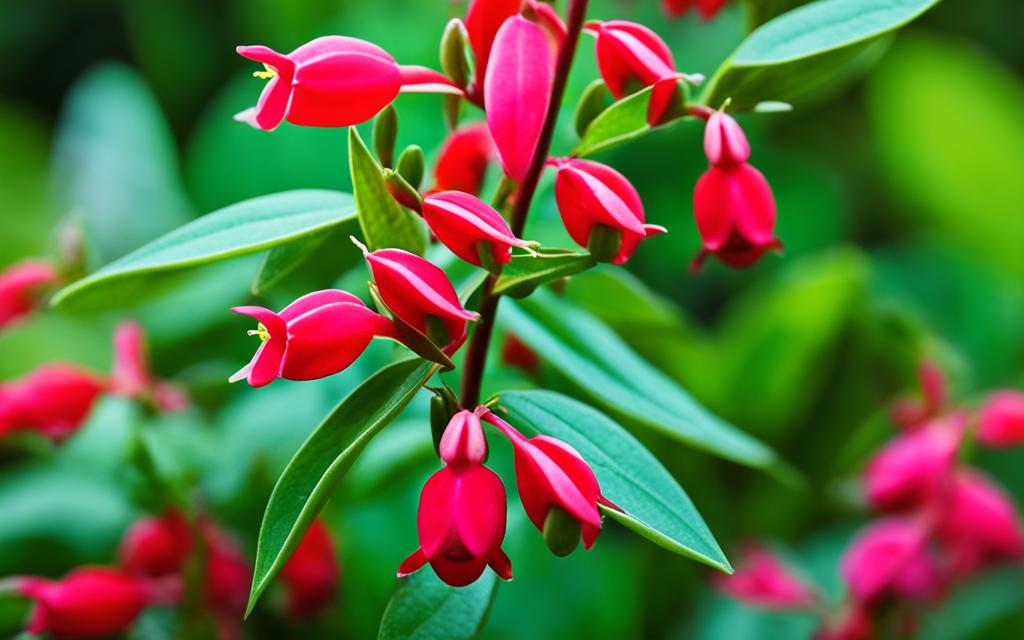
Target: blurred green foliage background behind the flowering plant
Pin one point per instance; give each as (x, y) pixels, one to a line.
(902, 207)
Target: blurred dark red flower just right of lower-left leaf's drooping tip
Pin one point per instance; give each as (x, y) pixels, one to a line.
(311, 576)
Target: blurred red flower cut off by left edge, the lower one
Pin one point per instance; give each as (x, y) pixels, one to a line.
(54, 400)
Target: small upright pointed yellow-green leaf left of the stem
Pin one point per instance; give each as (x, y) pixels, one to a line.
(386, 224)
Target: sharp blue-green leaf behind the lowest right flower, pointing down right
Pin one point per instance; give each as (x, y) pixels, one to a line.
(655, 505)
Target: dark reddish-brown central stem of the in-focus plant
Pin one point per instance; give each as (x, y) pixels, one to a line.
(477, 356)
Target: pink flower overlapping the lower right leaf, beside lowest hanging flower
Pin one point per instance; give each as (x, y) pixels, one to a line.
(559, 490)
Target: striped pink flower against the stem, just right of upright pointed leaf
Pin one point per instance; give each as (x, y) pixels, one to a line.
(462, 223)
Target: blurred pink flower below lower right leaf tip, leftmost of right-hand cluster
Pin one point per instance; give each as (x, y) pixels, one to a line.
(767, 581)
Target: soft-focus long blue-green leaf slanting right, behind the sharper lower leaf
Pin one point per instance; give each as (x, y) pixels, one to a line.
(596, 360)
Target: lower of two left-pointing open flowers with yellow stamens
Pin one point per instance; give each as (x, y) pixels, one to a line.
(319, 335)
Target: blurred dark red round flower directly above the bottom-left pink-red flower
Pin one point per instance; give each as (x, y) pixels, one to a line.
(157, 547)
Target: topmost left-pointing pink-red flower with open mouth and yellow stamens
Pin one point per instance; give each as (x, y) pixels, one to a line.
(333, 81)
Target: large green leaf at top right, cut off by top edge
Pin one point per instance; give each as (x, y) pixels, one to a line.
(804, 48)
